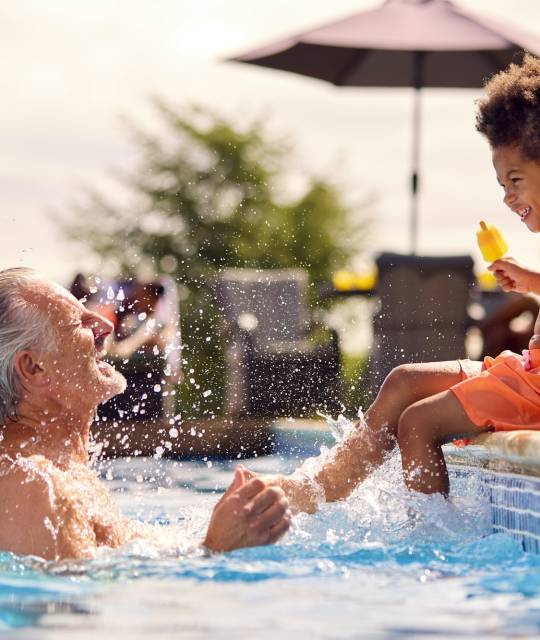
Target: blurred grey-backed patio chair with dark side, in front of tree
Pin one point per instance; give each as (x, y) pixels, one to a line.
(277, 362)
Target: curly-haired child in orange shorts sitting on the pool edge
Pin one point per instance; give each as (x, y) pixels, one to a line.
(421, 406)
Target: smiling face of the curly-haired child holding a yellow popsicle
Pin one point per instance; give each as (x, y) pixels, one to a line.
(520, 179)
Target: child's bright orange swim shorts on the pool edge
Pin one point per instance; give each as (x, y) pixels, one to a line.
(505, 395)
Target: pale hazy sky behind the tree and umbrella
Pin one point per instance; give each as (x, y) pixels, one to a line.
(75, 73)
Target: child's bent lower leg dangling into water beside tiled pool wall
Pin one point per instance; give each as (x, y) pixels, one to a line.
(423, 428)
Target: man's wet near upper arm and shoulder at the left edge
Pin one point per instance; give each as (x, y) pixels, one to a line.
(27, 506)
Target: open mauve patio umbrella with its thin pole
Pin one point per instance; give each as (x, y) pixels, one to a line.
(402, 43)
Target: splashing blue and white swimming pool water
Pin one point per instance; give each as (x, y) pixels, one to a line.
(383, 564)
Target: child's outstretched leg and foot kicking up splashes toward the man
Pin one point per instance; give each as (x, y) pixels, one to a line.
(365, 449)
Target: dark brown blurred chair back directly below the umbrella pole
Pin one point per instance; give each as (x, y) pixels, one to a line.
(422, 312)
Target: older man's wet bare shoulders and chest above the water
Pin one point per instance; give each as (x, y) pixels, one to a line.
(55, 512)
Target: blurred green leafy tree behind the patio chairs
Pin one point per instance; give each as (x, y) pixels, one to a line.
(206, 198)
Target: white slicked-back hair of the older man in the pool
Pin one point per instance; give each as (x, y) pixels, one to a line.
(22, 326)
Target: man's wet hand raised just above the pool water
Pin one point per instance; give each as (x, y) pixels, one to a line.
(249, 514)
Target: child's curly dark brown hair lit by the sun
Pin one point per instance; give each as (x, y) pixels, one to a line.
(510, 113)
